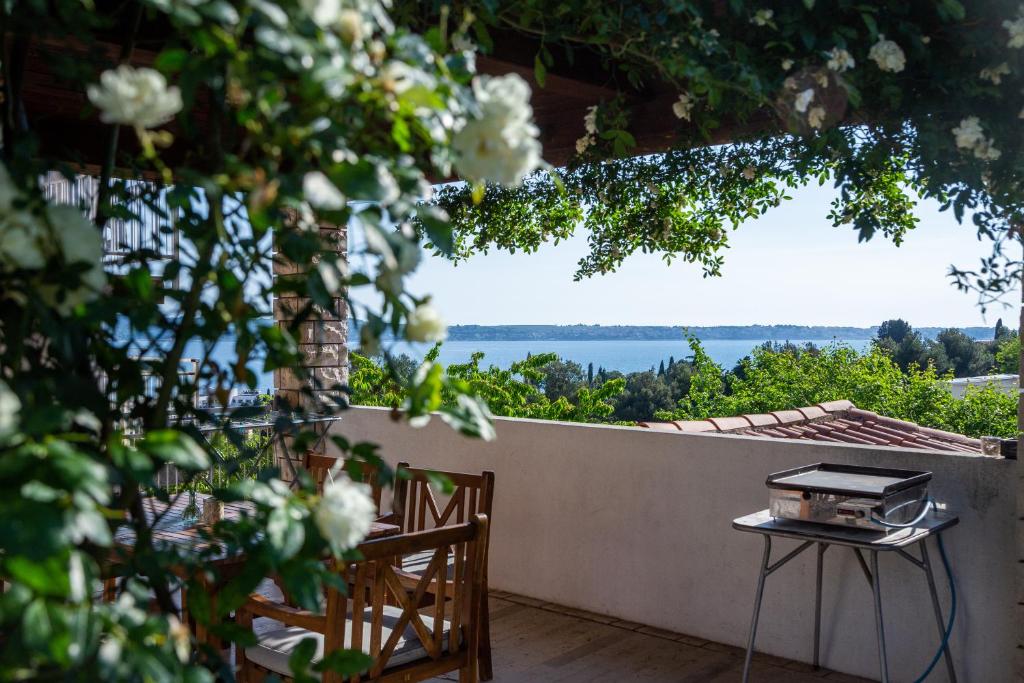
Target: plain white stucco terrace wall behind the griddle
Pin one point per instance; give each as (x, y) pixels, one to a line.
(637, 525)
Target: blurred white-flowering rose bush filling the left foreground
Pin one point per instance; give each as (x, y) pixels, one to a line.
(253, 129)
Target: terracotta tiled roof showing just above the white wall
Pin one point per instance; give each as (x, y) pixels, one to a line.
(838, 421)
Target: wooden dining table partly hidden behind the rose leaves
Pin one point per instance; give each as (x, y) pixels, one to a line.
(172, 531)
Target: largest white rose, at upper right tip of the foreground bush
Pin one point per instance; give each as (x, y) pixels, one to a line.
(501, 144)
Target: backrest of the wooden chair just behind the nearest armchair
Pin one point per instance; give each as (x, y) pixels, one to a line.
(420, 504)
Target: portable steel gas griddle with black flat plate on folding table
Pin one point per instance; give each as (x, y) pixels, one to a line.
(848, 495)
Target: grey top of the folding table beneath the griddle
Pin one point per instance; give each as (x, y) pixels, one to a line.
(763, 523)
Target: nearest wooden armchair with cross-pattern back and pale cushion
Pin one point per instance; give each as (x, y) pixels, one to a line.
(404, 645)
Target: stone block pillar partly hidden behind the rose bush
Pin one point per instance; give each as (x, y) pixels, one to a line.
(322, 340)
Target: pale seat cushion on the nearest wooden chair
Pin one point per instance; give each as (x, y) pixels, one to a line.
(275, 648)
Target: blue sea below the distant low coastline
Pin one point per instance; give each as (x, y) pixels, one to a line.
(625, 356)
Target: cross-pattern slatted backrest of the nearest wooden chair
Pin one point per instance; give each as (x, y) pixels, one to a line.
(374, 583)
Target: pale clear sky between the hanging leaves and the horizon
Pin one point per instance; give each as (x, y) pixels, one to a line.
(789, 268)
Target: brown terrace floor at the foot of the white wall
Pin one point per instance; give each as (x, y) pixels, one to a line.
(541, 643)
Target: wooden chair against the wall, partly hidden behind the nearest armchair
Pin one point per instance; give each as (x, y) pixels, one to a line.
(420, 505)
